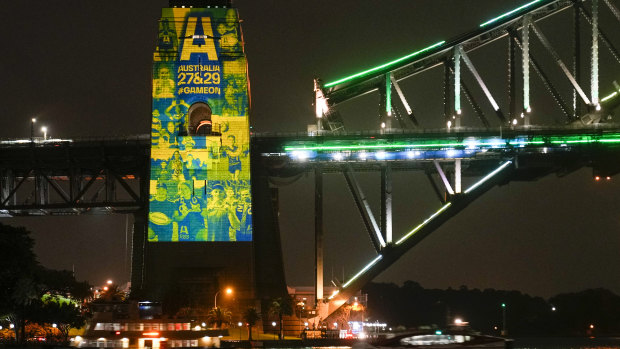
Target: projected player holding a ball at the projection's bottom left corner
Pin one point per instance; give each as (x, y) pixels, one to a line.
(161, 209)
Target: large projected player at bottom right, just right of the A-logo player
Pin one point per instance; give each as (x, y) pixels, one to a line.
(220, 216)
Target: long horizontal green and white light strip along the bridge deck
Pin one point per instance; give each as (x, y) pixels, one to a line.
(497, 142)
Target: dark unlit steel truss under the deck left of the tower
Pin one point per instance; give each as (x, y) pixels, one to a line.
(74, 177)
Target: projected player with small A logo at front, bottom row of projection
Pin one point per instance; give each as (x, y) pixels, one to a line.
(188, 216)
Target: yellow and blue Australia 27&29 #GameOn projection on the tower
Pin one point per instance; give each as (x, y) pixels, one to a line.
(200, 167)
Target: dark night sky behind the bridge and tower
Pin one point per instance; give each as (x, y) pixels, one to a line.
(83, 69)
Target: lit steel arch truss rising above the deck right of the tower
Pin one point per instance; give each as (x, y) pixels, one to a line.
(516, 26)
